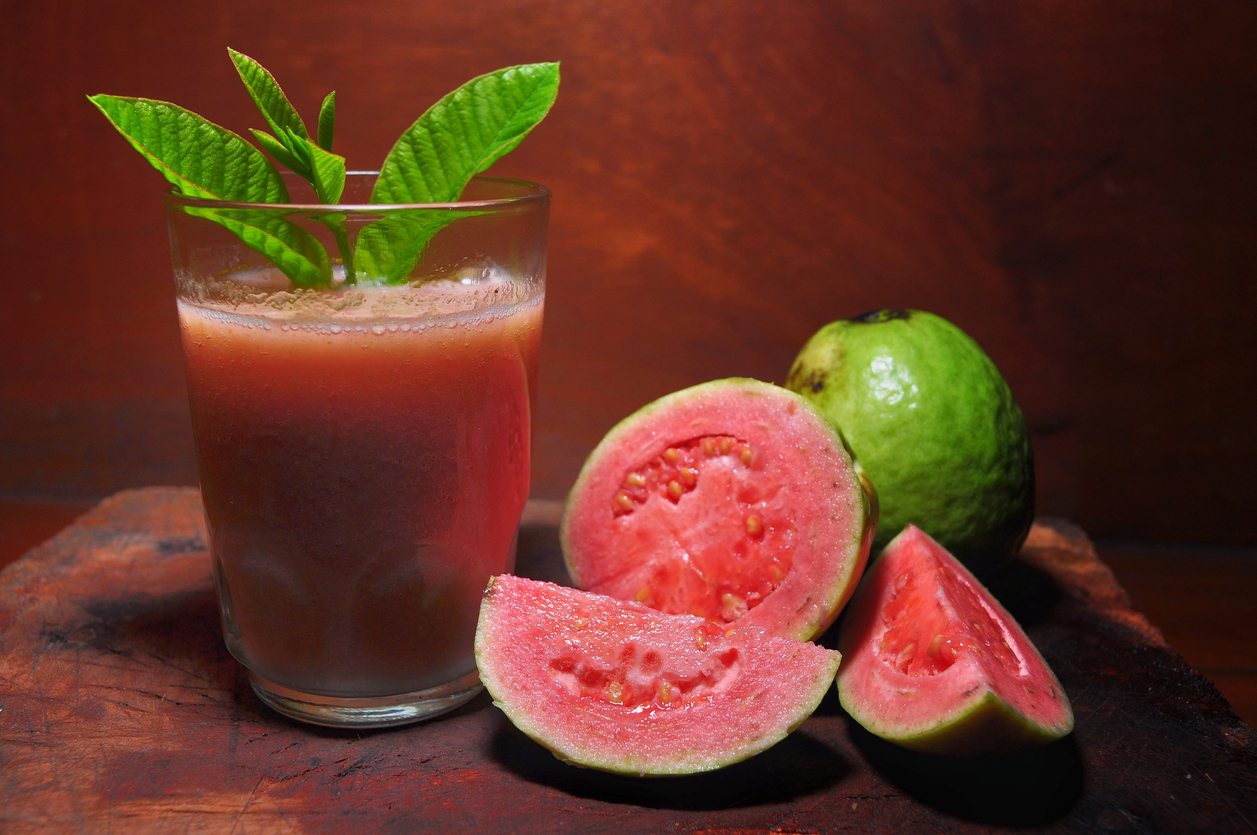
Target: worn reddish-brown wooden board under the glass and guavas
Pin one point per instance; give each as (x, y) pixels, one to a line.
(121, 711)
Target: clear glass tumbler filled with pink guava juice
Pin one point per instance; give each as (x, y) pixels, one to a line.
(364, 441)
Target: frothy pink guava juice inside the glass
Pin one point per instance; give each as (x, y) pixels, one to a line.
(364, 473)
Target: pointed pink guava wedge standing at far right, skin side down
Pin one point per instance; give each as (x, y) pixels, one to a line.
(936, 665)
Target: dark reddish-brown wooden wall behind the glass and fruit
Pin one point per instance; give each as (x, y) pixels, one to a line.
(1070, 182)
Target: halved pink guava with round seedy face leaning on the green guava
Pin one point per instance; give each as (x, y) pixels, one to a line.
(736, 501)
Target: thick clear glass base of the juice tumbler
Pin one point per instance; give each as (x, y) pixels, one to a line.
(375, 712)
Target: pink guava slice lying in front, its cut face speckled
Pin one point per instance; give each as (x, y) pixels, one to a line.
(617, 686)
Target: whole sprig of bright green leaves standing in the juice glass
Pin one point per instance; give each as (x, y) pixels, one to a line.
(458, 138)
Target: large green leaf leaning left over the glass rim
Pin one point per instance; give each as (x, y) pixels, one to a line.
(204, 160)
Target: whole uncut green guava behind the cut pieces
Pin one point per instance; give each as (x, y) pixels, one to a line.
(935, 426)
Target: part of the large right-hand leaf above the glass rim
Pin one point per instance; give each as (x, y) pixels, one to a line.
(464, 134)
